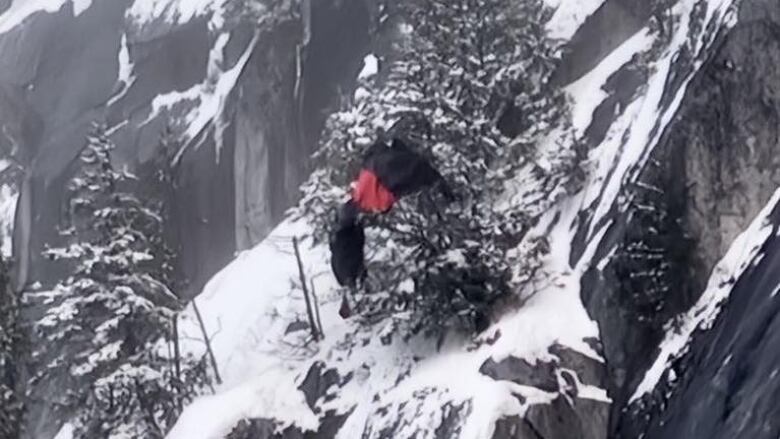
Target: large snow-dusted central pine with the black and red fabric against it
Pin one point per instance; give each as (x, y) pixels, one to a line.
(462, 63)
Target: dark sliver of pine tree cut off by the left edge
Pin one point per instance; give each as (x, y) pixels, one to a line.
(11, 341)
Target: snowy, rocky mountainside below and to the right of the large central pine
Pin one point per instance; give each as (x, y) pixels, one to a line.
(680, 168)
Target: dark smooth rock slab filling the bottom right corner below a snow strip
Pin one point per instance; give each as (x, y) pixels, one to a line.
(727, 384)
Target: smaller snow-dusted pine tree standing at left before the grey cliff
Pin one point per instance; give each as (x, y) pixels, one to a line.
(114, 312)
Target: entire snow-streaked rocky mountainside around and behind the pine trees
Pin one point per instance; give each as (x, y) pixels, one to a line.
(655, 316)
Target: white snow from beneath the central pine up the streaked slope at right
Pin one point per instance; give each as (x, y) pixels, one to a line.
(249, 306)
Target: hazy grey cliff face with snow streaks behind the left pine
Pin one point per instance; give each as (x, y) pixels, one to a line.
(246, 102)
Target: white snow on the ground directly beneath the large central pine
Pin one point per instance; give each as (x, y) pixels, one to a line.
(250, 304)
